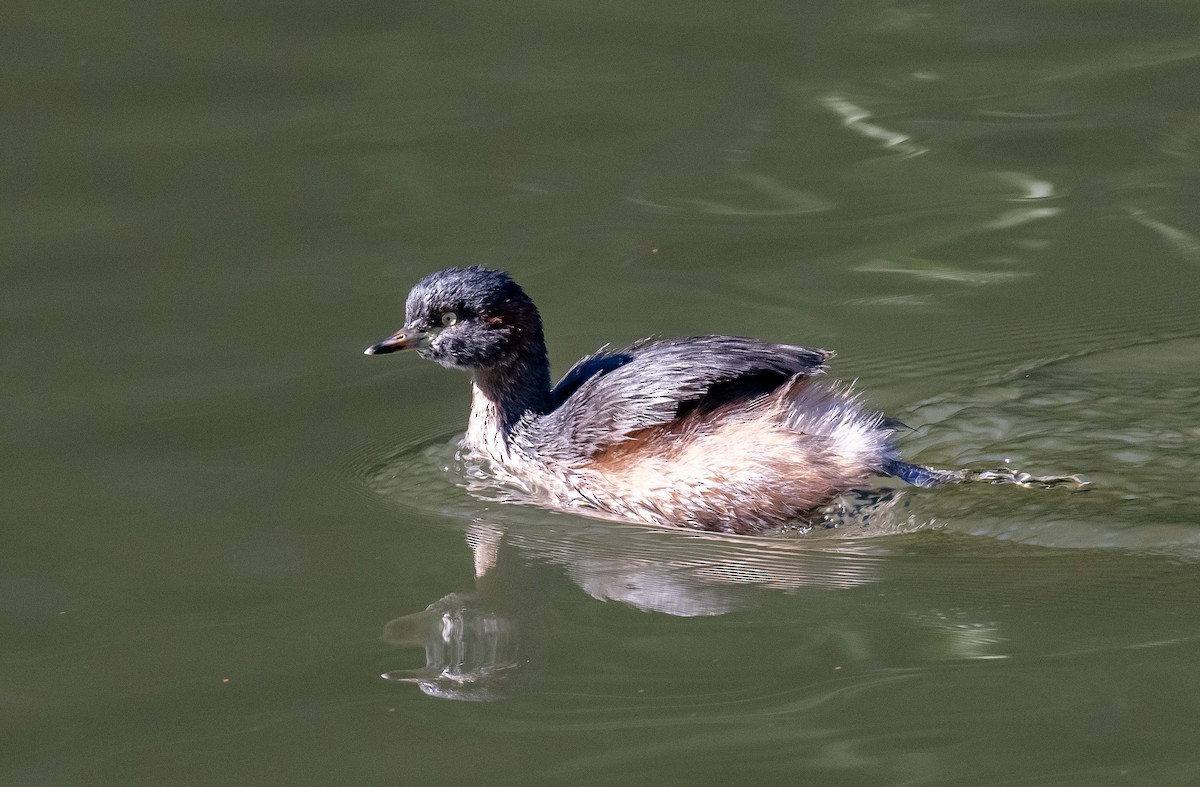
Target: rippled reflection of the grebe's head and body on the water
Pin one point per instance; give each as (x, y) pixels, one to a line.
(491, 642)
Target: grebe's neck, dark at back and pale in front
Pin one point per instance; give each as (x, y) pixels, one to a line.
(505, 394)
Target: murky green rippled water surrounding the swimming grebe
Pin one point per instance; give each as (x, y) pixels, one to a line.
(223, 522)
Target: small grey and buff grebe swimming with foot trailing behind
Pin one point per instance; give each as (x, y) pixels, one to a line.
(706, 432)
